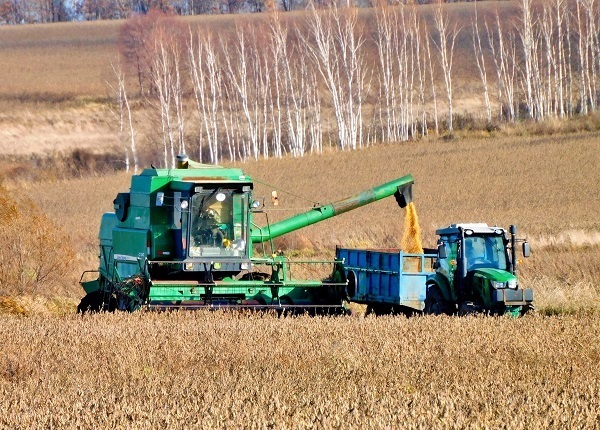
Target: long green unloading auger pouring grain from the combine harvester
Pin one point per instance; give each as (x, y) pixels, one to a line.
(400, 188)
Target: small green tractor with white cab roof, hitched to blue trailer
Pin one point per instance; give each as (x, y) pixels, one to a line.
(477, 271)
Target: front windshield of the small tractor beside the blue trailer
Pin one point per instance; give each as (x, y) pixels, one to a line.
(485, 252)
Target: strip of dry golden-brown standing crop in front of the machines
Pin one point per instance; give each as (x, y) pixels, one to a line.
(235, 370)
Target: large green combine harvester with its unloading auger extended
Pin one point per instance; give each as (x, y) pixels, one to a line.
(185, 238)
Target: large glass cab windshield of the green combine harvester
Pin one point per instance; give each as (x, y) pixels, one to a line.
(217, 224)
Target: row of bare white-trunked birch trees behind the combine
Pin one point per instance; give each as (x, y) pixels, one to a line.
(270, 88)
